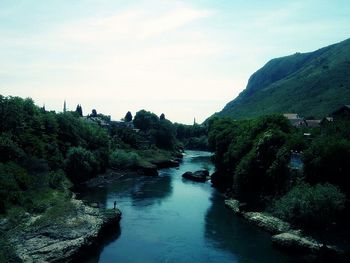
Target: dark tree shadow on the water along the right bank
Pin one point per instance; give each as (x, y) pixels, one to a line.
(228, 232)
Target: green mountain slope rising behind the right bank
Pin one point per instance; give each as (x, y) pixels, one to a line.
(311, 84)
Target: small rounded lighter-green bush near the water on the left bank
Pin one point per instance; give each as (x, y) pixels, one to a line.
(124, 159)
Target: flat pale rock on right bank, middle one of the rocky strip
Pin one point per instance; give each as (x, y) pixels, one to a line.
(269, 223)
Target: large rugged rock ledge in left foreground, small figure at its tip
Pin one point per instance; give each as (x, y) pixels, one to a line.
(62, 241)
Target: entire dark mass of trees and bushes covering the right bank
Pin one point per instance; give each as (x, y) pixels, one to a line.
(252, 158)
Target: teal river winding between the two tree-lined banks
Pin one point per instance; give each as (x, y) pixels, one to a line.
(170, 219)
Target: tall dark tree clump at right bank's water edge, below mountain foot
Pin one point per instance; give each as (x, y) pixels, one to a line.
(253, 153)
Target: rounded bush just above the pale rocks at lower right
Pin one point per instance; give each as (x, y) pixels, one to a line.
(310, 206)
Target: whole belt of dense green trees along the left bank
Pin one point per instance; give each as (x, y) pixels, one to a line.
(42, 149)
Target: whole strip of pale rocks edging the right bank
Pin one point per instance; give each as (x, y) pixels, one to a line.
(284, 236)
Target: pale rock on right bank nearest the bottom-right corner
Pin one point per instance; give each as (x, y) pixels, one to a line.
(296, 242)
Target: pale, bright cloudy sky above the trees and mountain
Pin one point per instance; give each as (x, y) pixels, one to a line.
(185, 59)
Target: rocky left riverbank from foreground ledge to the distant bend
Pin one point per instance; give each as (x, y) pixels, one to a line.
(70, 226)
